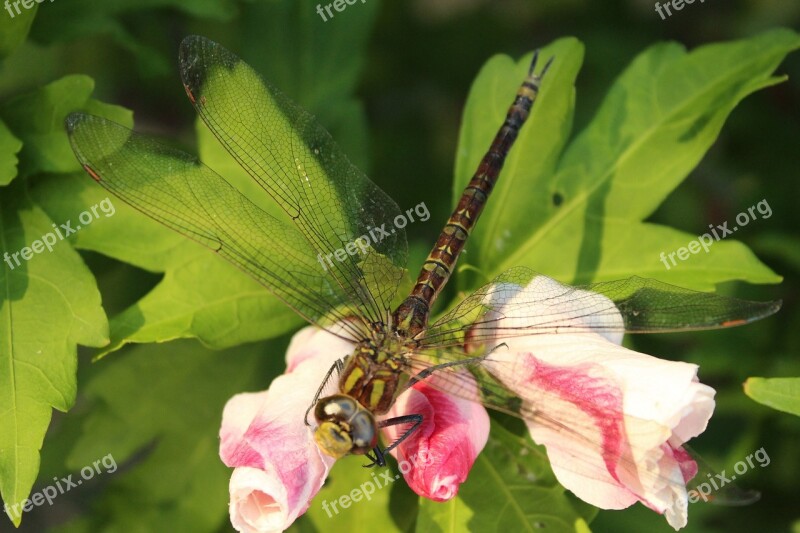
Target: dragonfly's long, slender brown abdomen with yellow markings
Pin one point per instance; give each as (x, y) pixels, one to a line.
(411, 316)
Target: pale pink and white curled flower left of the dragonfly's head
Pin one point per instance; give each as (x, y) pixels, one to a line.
(278, 466)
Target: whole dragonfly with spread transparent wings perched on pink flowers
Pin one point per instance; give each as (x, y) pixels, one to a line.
(322, 204)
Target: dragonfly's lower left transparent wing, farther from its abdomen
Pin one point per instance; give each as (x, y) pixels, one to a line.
(174, 188)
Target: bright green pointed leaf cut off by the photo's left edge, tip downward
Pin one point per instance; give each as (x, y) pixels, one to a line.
(48, 304)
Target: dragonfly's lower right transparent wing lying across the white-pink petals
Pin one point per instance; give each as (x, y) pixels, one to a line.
(551, 416)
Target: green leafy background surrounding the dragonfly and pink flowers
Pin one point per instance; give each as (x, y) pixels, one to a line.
(641, 156)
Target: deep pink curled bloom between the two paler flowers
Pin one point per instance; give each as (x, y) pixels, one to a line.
(437, 457)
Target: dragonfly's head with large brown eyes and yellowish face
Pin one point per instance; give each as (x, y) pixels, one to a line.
(343, 426)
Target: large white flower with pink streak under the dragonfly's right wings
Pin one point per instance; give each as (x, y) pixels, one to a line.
(612, 420)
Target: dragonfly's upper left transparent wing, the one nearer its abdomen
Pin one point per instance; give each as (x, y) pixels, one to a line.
(283, 148)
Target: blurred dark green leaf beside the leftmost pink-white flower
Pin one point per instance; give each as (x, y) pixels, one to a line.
(157, 408)
